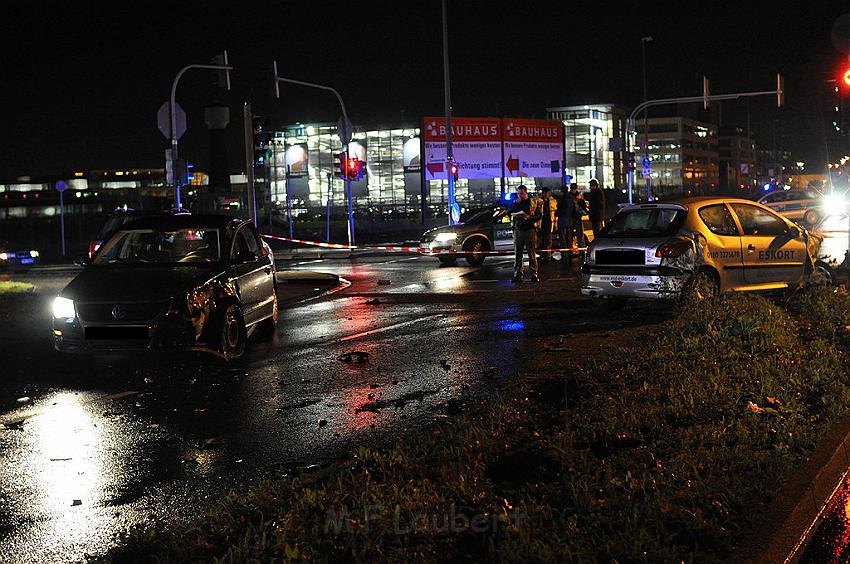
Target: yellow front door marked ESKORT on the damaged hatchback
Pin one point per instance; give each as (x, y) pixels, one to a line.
(772, 251)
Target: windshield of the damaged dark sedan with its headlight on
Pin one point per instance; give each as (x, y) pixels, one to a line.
(183, 246)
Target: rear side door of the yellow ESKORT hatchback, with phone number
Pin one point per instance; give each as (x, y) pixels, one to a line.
(723, 244)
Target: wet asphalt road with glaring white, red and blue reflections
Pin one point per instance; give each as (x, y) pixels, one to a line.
(92, 448)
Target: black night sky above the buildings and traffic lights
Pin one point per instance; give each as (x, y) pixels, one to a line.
(81, 82)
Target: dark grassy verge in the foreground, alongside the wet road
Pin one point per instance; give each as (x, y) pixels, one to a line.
(664, 452)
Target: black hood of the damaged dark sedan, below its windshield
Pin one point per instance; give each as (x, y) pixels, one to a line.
(136, 283)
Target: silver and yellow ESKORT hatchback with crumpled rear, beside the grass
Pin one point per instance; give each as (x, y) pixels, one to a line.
(698, 245)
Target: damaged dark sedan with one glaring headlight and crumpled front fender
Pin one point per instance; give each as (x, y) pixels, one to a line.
(185, 282)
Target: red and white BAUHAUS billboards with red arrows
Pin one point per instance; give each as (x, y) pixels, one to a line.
(493, 147)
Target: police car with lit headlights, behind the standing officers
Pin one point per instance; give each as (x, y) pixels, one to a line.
(485, 230)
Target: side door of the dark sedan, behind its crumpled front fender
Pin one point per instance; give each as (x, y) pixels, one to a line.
(252, 275)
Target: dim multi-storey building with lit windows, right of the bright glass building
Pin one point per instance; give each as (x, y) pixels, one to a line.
(683, 155)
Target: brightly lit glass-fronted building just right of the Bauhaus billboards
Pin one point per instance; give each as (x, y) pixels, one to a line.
(594, 137)
